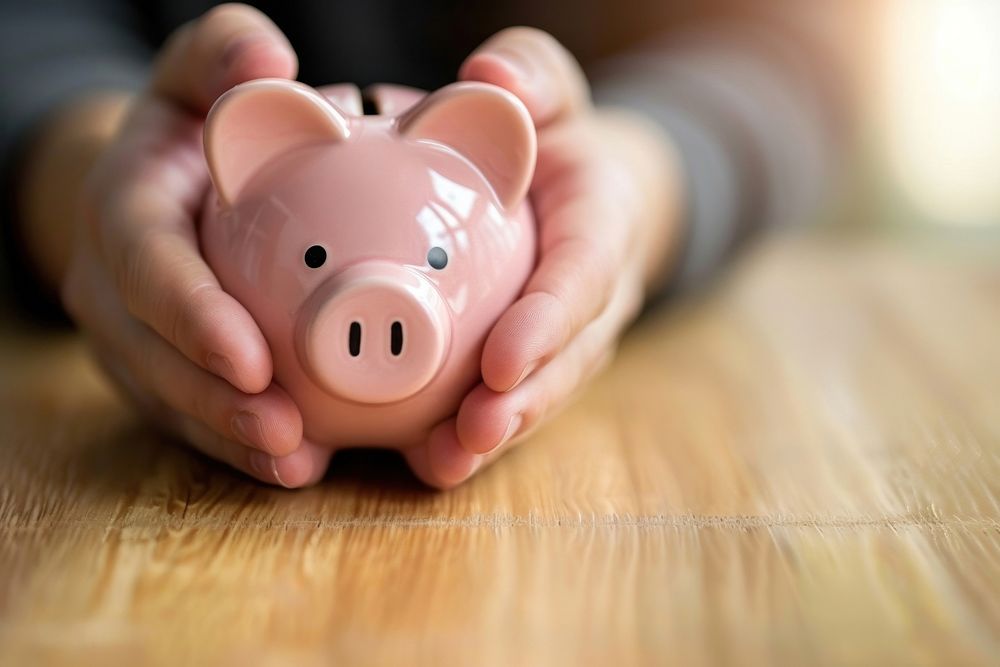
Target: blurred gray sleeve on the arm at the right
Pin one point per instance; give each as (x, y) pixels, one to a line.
(747, 107)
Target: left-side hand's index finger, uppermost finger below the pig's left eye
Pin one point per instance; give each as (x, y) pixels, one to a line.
(150, 246)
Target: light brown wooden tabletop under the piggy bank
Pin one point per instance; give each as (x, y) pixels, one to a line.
(800, 468)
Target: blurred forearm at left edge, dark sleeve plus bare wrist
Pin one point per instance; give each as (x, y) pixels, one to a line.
(67, 67)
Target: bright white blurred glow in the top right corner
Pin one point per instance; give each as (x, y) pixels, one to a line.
(935, 115)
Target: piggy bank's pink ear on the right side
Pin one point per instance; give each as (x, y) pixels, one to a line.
(487, 125)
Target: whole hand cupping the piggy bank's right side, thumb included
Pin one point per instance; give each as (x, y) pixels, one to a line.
(606, 196)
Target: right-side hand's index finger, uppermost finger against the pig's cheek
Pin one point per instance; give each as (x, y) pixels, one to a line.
(583, 257)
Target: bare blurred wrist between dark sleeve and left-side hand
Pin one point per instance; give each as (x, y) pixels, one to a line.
(52, 176)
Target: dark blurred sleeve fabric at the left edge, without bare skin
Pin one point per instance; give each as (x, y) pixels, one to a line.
(52, 51)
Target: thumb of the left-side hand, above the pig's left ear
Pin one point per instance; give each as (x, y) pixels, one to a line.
(226, 46)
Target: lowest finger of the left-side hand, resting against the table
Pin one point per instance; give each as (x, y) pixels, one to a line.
(303, 467)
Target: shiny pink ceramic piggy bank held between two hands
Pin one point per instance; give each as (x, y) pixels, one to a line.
(375, 252)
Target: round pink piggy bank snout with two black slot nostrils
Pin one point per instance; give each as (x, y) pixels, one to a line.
(374, 333)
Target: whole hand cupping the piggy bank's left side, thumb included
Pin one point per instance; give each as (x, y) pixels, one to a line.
(138, 286)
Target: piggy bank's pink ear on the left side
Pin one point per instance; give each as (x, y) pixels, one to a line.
(257, 121)
